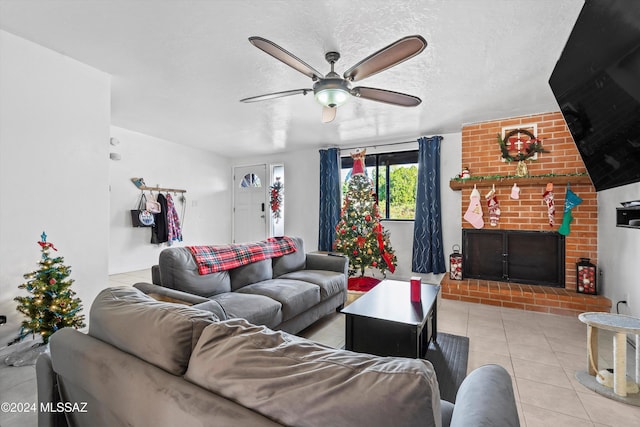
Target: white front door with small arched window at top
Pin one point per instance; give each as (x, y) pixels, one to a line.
(250, 210)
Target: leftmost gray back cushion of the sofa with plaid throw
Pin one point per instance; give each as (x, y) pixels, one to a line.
(178, 270)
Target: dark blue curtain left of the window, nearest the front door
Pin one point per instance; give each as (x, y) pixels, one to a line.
(329, 197)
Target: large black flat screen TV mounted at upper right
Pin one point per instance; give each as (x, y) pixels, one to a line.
(596, 82)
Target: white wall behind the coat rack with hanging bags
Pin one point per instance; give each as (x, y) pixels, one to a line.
(205, 176)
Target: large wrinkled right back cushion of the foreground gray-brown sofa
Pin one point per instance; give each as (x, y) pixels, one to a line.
(298, 382)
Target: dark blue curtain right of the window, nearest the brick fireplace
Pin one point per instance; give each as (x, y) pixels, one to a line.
(428, 255)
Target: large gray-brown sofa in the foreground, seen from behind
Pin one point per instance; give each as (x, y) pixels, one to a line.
(151, 363)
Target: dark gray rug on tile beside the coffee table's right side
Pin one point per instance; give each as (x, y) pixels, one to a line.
(449, 356)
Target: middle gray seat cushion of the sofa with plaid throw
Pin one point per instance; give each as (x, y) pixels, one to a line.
(294, 295)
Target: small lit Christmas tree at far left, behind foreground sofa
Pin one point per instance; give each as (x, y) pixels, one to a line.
(52, 304)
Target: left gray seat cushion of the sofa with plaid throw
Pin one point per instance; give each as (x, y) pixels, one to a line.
(256, 309)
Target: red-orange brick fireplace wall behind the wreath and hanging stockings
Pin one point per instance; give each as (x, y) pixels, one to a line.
(481, 154)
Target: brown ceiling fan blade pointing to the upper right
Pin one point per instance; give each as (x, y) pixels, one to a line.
(395, 53)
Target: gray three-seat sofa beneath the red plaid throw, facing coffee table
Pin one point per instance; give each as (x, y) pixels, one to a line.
(286, 293)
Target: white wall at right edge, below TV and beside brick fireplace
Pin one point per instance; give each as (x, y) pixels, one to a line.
(618, 250)
